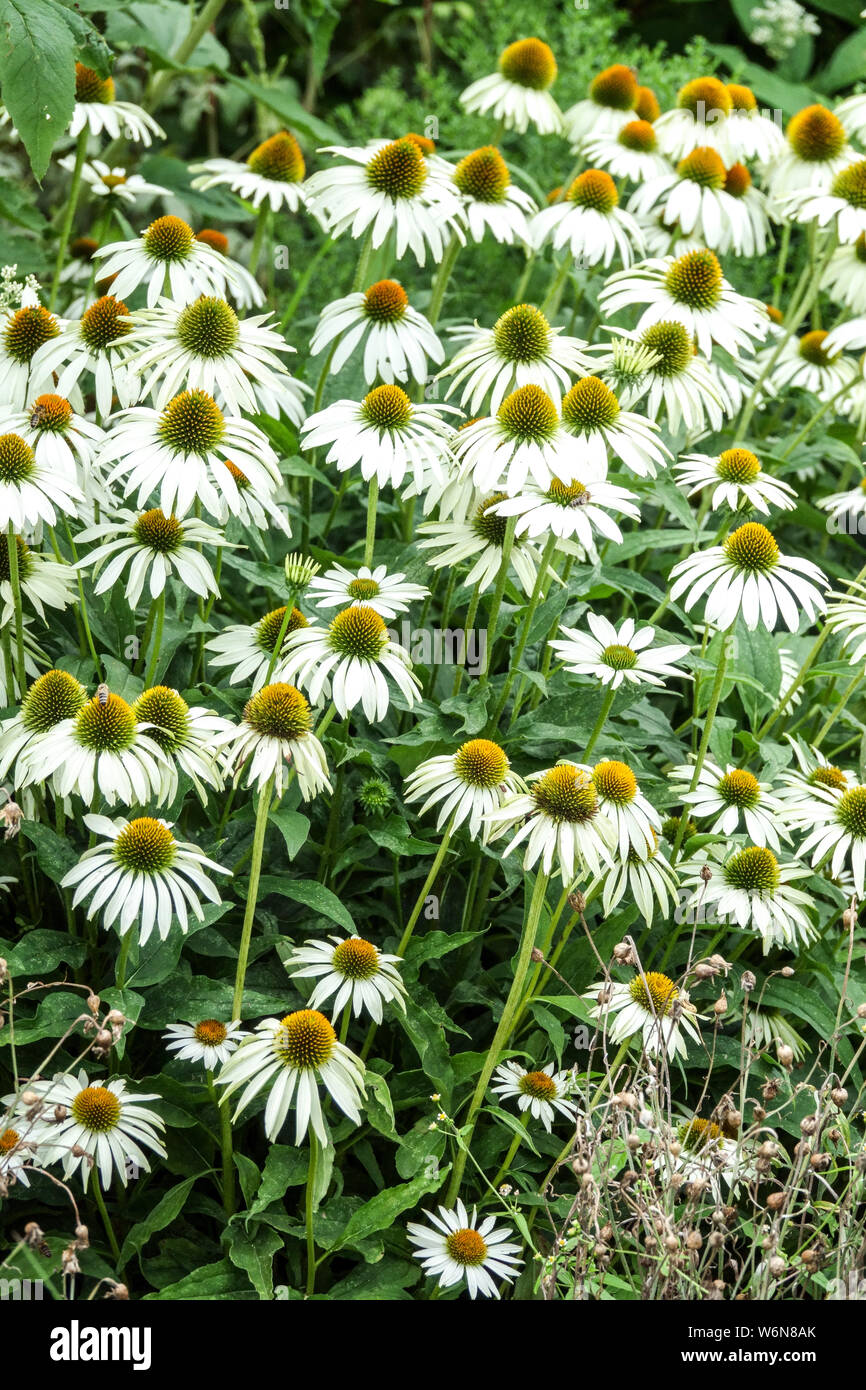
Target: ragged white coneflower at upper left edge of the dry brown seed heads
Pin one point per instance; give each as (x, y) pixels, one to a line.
(653, 1006)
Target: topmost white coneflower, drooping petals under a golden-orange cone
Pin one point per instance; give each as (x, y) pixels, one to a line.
(519, 94)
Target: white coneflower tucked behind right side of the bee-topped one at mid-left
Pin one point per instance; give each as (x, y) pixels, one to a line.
(191, 737)
